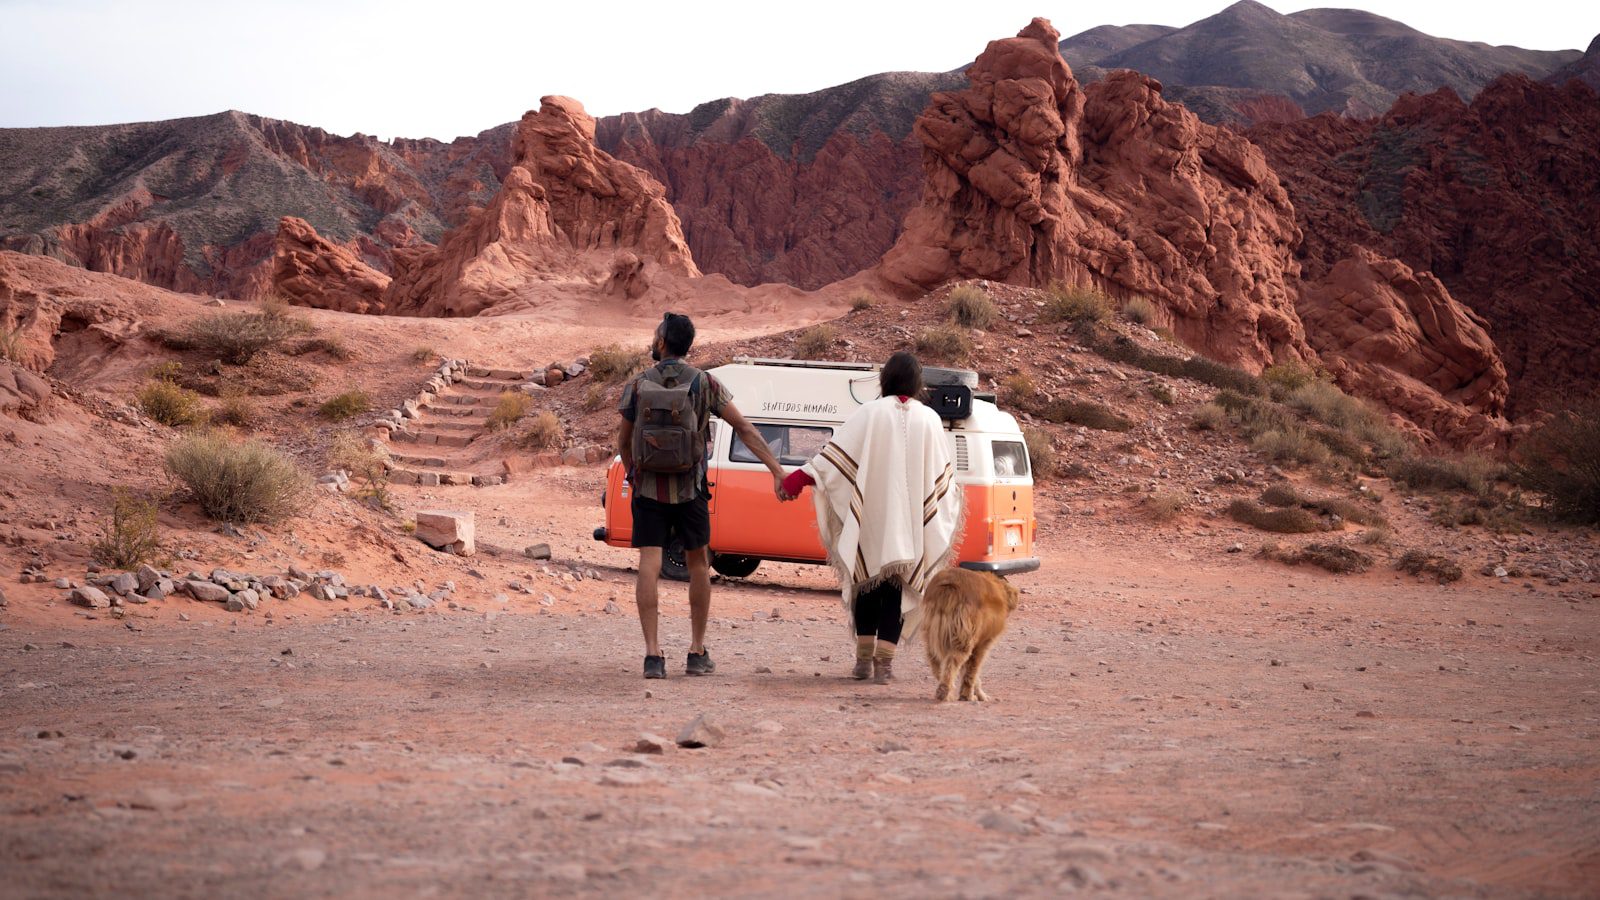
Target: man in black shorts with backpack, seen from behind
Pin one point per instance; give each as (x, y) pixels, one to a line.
(670, 484)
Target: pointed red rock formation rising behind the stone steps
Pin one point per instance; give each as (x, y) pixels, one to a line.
(564, 199)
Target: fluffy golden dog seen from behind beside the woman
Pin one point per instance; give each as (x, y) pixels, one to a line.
(961, 617)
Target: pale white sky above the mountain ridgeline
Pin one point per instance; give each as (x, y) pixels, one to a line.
(447, 68)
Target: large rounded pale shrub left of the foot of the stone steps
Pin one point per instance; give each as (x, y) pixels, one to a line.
(238, 483)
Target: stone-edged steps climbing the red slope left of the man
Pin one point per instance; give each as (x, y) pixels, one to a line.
(433, 436)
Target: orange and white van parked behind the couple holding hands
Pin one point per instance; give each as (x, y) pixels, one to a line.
(798, 406)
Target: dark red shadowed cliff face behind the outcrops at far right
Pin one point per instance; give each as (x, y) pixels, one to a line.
(1495, 198)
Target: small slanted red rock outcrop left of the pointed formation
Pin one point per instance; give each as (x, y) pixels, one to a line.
(313, 271)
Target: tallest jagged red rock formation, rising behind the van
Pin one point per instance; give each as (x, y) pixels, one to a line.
(1031, 180)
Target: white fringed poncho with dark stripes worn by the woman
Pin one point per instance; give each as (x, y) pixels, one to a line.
(887, 502)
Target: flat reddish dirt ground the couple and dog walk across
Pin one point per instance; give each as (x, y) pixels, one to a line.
(1212, 726)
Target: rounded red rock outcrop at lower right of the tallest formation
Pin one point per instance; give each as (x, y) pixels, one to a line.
(1398, 337)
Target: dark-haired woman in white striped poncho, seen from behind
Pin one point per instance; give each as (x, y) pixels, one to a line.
(887, 508)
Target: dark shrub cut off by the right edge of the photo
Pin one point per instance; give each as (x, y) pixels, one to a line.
(1561, 460)
